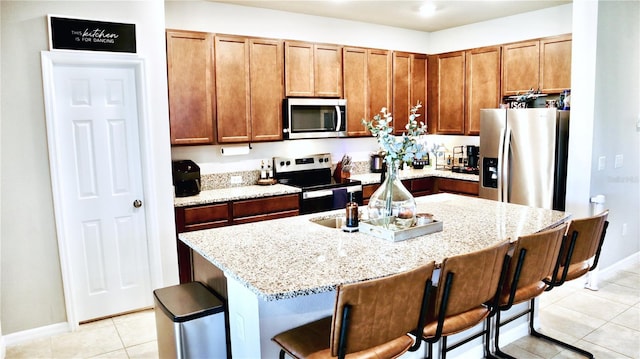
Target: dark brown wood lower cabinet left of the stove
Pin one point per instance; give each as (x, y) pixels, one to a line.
(214, 215)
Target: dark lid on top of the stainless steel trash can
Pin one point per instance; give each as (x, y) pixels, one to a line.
(187, 301)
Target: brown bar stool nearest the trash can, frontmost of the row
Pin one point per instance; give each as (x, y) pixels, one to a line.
(371, 319)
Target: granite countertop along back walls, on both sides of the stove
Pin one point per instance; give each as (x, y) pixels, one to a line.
(255, 191)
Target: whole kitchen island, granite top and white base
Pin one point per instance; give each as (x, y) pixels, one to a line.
(283, 273)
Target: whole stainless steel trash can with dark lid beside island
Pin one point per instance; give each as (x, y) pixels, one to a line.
(190, 322)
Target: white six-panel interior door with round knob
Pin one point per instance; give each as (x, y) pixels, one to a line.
(96, 149)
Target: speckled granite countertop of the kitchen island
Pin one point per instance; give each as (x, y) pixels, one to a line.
(289, 257)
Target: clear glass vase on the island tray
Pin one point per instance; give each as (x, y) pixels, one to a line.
(392, 205)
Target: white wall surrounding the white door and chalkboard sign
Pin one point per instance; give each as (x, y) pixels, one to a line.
(31, 284)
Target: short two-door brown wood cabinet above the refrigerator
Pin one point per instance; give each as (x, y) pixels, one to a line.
(543, 64)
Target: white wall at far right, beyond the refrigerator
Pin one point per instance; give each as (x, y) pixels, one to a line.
(616, 109)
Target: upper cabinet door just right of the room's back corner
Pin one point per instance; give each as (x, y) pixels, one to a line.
(448, 104)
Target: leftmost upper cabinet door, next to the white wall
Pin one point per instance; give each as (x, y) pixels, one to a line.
(191, 90)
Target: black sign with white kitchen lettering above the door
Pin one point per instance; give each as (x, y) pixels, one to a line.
(78, 34)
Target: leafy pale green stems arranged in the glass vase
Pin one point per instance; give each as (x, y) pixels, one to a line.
(398, 149)
